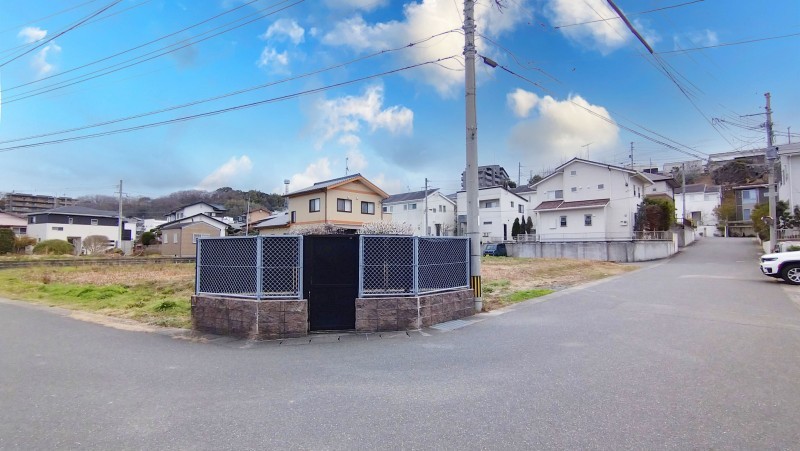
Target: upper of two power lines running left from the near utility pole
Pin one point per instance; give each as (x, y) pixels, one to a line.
(229, 94)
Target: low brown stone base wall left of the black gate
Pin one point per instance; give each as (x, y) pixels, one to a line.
(248, 318)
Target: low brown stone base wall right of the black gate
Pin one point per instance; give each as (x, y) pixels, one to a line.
(404, 313)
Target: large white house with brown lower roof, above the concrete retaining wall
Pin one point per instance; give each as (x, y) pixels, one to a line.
(584, 200)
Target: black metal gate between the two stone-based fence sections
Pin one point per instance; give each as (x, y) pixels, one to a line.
(330, 280)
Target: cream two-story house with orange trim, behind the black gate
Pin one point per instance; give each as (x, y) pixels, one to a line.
(345, 202)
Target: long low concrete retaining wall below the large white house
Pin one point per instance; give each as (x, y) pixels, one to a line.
(614, 251)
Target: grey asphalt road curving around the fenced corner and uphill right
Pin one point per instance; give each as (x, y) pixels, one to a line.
(698, 351)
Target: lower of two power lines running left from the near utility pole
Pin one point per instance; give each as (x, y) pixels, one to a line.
(224, 110)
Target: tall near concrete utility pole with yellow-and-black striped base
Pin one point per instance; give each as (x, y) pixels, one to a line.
(473, 222)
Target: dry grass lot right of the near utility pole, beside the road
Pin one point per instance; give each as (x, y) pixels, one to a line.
(503, 277)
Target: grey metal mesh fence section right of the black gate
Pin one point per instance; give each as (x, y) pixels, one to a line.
(411, 265)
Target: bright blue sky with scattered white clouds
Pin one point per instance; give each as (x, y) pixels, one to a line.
(171, 95)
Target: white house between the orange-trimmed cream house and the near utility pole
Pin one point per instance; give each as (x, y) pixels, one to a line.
(410, 208)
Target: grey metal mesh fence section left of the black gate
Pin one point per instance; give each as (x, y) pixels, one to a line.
(260, 267)
